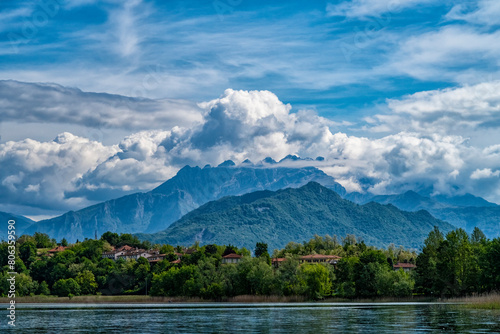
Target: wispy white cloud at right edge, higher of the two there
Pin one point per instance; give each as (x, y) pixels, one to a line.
(455, 53)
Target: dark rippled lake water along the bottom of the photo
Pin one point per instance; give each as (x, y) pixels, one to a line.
(313, 318)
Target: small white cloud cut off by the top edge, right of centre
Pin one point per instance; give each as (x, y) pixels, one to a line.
(370, 8)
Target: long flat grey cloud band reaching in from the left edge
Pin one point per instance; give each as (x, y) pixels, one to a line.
(50, 103)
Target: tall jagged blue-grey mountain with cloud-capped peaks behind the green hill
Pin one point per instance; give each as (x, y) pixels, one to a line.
(191, 187)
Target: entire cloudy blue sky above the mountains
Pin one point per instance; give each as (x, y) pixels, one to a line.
(99, 99)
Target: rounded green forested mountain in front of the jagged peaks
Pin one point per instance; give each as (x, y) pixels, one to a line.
(296, 214)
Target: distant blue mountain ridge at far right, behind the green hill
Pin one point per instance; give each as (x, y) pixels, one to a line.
(465, 211)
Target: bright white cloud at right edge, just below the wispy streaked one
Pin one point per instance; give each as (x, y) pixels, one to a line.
(468, 111)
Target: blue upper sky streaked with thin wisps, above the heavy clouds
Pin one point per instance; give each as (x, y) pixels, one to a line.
(302, 51)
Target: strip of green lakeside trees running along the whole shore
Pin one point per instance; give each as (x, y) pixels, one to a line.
(455, 264)
